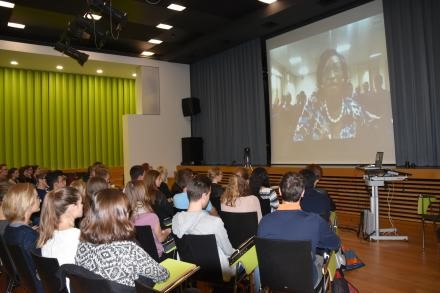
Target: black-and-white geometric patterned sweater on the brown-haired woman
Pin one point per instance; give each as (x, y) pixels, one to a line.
(119, 261)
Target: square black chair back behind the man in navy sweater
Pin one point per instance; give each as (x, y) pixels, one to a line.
(285, 265)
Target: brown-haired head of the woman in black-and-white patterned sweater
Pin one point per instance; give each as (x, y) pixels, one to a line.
(108, 218)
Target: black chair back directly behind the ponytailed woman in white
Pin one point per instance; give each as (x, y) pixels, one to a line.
(49, 272)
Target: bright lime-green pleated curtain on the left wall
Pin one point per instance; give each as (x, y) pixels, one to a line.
(61, 120)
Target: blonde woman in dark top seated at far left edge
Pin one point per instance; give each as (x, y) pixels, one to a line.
(19, 203)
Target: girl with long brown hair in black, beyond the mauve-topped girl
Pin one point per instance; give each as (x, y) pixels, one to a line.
(159, 202)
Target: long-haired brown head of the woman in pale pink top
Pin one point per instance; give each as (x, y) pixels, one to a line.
(238, 185)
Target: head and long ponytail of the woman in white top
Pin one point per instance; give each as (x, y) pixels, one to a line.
(64, 203)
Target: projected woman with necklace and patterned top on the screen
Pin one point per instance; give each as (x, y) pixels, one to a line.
(332, 113)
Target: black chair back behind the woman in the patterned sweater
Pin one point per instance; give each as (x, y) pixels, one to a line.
(85, 281)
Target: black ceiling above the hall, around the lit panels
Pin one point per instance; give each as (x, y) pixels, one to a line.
(204, 28)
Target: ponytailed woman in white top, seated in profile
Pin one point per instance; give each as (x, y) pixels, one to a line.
(58, 236)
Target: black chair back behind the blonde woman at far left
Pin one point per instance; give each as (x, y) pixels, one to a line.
(25, 268)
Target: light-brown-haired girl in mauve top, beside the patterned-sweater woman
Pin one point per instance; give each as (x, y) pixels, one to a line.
(143, 213)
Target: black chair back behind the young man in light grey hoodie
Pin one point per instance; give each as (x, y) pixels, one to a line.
(202, 251)
